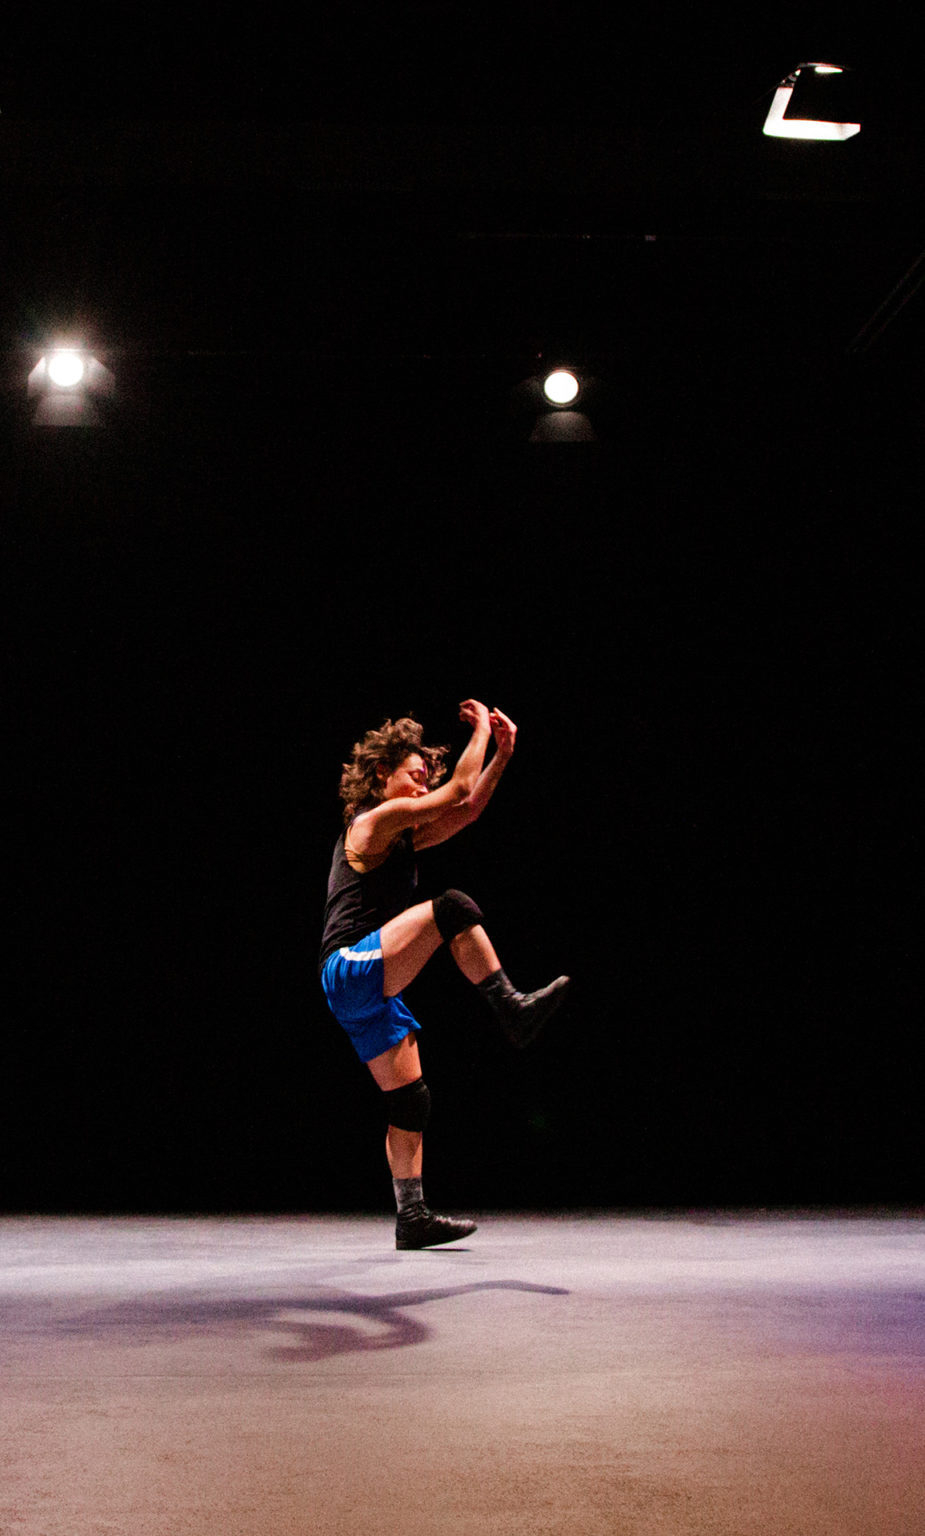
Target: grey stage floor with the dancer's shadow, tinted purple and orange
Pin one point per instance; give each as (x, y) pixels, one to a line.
(642, 1375)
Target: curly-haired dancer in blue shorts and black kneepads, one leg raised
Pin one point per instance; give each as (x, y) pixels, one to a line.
(379, 938)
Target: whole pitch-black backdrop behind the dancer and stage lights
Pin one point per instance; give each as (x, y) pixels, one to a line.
(314, 506)
